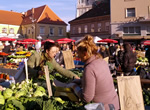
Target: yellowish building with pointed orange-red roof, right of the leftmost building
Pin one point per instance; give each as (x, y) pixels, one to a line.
(44, 22)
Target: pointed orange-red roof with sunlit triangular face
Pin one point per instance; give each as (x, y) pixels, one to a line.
(42, 15)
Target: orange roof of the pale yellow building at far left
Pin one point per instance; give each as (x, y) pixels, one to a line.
(16, 18)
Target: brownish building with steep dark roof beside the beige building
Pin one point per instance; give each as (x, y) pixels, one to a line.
(95, 22)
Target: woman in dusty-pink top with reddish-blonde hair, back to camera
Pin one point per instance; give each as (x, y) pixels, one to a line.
(97, 82)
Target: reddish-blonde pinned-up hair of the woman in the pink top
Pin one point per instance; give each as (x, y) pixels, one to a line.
(88, 45)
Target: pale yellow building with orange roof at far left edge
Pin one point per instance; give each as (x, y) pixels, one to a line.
(10, 24)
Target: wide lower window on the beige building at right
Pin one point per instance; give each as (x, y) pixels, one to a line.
(132, 30)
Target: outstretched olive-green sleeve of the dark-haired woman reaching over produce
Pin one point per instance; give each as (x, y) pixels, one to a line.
(53, 65)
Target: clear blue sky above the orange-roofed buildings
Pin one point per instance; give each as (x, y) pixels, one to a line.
(65, 9)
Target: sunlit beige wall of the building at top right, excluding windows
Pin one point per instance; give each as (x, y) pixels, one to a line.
(119, 19)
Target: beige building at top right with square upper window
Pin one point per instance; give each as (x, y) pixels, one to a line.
(130, 20)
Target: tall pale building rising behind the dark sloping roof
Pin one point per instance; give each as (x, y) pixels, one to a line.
(83, 6)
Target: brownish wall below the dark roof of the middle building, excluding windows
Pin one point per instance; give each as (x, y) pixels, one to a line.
(88, 21)
